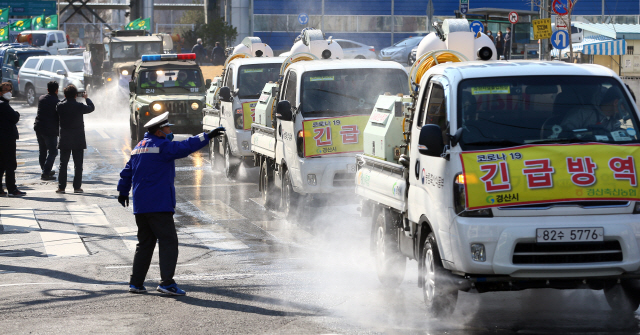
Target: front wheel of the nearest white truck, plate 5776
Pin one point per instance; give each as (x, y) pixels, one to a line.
(440, 296)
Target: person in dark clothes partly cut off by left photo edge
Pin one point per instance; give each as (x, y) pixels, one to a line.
(8, 136)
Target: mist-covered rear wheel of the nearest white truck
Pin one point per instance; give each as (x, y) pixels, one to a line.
(390, 262)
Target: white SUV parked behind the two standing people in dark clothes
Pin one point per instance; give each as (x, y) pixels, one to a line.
(38, 71)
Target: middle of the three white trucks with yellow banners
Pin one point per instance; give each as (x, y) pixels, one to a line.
(321, 108)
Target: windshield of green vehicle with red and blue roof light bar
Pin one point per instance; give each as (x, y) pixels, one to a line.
(170, 81)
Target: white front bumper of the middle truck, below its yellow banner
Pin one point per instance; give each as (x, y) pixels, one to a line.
(331, 174)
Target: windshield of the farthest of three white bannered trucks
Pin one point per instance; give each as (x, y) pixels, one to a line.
(252, 78)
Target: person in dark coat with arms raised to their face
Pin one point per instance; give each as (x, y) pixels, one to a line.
(72, 139)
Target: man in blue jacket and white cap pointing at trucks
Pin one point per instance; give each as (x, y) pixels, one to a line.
(151, 173)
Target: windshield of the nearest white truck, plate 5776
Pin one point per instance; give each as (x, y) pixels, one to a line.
(511, 111)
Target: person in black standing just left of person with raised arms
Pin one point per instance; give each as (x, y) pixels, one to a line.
(47, 130)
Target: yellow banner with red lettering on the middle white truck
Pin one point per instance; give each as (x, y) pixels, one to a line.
(330, 136)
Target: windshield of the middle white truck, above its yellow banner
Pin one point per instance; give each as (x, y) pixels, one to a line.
(348, 91)
